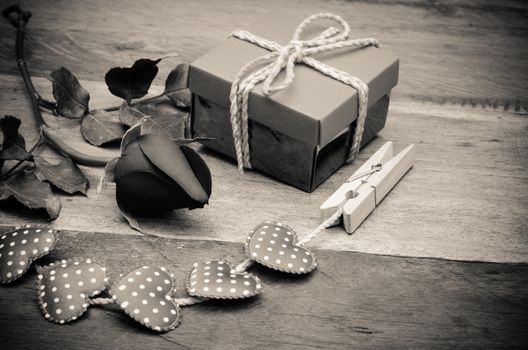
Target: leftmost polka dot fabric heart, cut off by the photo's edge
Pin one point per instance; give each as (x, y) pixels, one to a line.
(20, 247)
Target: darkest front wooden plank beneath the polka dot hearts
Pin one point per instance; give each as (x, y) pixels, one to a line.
(351, 300)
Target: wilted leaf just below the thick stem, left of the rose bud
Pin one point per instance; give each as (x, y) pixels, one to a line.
(65, 175)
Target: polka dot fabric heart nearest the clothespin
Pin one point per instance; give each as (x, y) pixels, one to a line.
(275, 245)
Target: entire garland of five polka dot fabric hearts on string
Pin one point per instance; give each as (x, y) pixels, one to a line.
(68, 287)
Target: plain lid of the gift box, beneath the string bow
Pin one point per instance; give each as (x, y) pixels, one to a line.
(317, 107)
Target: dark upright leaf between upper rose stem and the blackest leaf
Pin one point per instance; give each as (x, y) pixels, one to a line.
(72, 99)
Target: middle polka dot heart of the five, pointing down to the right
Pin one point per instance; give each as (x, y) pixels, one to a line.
(145, 294)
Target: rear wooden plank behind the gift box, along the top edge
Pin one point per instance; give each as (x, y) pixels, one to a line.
(462, 52)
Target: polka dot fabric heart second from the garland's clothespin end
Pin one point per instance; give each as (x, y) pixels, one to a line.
(218, 280)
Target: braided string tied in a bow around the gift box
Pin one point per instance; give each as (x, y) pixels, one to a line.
(284, 58)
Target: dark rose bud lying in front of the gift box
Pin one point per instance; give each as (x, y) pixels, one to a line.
(155, 174)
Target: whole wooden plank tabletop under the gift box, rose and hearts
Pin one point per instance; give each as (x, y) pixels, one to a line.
(441, 263)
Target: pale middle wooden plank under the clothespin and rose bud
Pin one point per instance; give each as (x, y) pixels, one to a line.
(463, 199)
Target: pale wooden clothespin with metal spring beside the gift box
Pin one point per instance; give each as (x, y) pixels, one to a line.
(368, 186)
